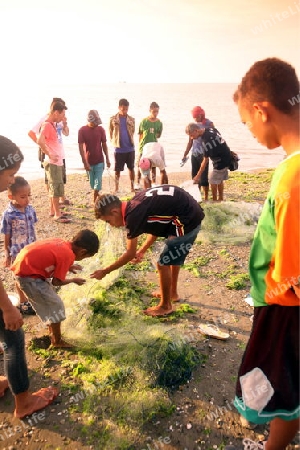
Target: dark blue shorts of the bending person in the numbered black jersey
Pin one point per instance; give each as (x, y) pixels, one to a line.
(176, 249)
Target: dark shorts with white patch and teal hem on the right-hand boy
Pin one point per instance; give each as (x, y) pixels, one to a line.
(268, 382)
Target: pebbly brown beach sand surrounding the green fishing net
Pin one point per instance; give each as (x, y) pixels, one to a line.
(197, 420)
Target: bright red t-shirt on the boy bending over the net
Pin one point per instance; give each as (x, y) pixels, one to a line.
(49, 258)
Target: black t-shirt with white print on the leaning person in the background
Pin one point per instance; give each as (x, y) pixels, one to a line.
(215, 148)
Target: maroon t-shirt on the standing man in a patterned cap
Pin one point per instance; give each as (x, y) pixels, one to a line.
(92, 138)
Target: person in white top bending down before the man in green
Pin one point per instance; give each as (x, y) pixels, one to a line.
(153, 156)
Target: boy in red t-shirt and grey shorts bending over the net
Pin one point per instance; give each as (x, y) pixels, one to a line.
(52, 258)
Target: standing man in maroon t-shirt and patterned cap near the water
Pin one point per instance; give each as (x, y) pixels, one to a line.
(92, 146)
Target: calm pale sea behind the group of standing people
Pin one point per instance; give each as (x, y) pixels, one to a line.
(23, 106)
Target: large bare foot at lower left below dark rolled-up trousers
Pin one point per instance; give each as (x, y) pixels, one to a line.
(31, 402)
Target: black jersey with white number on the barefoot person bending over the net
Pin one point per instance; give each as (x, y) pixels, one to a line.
(162, 211)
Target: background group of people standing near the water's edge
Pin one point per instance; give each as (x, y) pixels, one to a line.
(205, 142)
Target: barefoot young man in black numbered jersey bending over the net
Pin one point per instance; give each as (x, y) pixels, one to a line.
(166, 211)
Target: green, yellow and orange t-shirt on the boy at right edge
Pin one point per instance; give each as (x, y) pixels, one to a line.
(274, 258)
